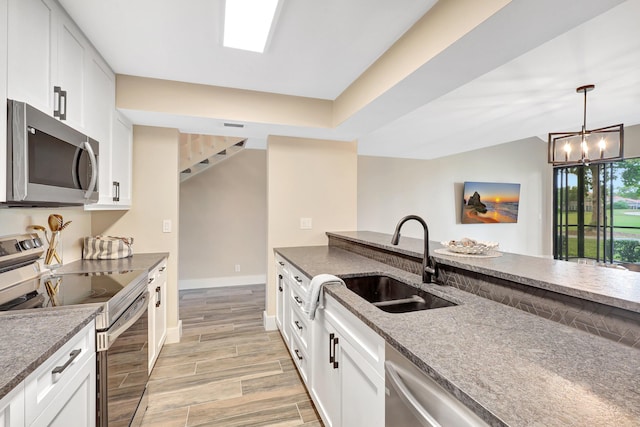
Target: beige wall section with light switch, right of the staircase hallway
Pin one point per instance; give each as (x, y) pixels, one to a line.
(307, 179)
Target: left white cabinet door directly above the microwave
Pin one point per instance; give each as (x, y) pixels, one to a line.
(32, 46)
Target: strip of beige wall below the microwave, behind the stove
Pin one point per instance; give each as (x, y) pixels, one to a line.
(16, 220)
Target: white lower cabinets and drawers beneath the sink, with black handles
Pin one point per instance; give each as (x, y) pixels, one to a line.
(339, 358)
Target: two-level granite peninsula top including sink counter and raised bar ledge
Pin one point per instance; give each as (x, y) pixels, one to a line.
(510, 367)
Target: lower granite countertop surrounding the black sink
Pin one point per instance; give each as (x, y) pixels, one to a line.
(510, 367)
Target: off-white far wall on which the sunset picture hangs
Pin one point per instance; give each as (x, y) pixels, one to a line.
(389, 189)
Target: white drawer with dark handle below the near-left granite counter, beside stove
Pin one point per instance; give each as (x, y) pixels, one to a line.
(44, 384)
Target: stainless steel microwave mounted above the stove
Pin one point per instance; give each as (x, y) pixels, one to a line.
(48, 162)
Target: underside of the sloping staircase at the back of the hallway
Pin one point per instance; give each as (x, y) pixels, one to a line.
(199, 152)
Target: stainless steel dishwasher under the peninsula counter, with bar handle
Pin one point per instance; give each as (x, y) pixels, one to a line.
(415, 399)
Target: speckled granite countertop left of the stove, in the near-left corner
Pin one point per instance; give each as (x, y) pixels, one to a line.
(29, 337)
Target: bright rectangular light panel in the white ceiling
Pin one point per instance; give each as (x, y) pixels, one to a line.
(247, 23)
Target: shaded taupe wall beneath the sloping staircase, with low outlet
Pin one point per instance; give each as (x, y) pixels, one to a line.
(223, 222)
